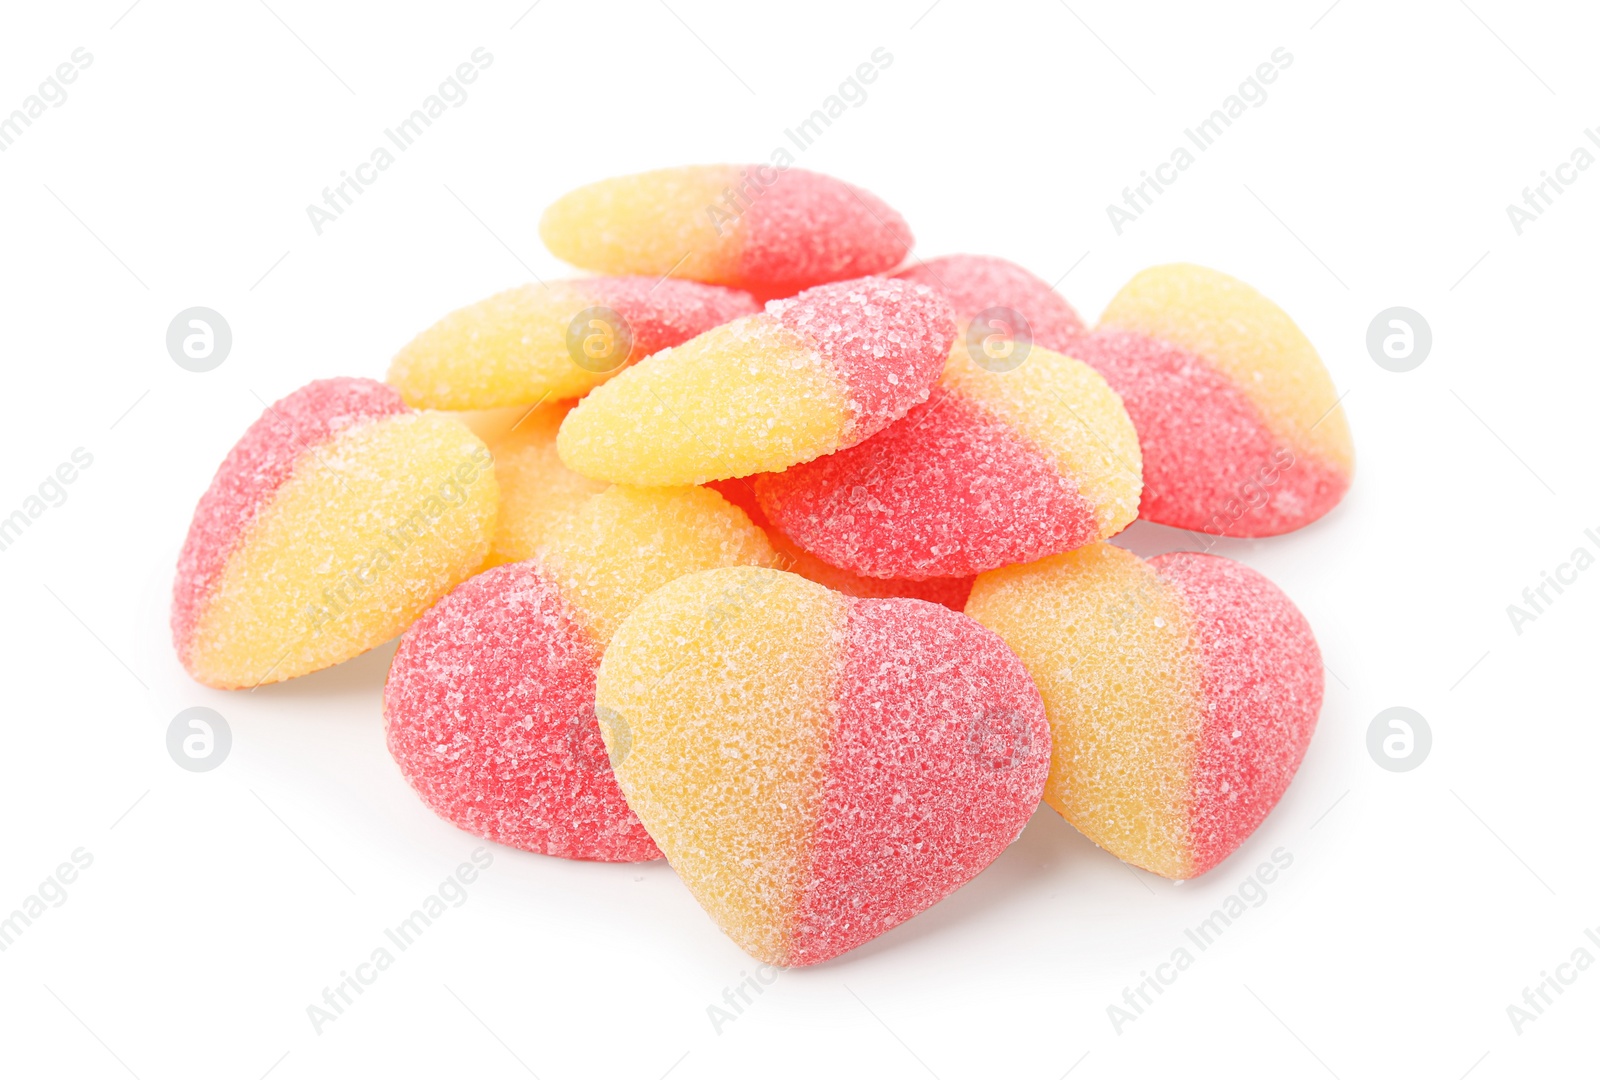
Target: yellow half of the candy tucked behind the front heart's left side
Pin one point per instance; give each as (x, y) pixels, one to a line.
(625, 543)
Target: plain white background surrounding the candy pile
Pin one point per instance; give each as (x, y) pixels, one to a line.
(218, 906)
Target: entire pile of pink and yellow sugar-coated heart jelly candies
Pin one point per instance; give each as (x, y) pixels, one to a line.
(782, 553)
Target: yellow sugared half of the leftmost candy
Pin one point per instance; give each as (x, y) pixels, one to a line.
(369, 530)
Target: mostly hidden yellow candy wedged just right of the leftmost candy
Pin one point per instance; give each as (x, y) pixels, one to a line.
(535, 487)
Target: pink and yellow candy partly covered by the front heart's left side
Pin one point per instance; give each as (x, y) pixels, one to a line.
(490, 698)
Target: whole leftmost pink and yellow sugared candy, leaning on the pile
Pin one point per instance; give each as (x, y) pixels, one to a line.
(332, 526)
